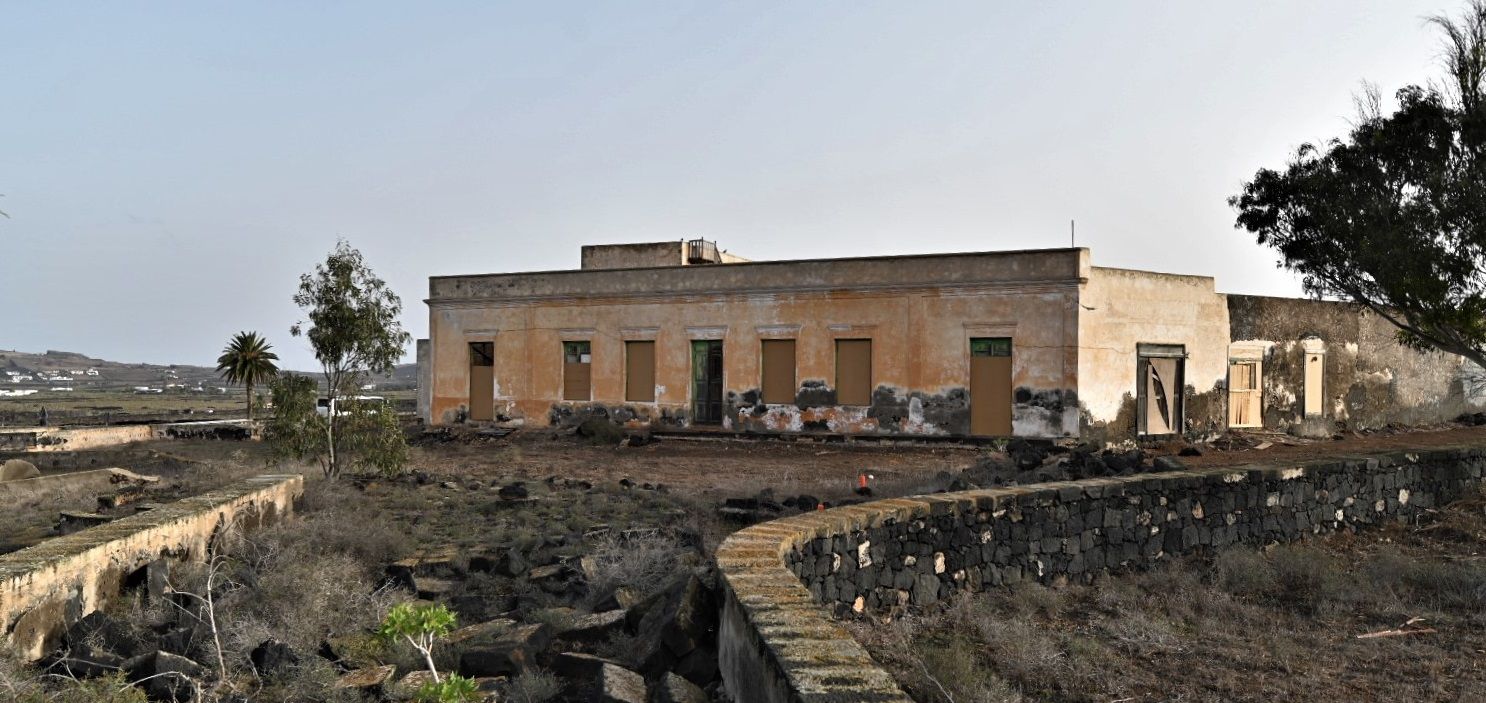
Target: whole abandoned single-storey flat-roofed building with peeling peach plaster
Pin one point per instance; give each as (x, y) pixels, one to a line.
(1029, 344)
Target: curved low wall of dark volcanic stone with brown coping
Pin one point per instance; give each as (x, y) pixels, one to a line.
(779, 644)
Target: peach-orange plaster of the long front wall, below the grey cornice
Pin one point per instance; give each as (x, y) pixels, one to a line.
(921, 343)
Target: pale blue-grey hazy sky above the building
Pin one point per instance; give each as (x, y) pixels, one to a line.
(172, 169)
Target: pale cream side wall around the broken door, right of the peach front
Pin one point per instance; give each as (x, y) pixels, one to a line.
(1121, 310)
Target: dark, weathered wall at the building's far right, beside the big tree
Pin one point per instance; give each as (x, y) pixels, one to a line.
(1369, 378)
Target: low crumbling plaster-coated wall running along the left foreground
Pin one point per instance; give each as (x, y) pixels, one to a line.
(53, 585)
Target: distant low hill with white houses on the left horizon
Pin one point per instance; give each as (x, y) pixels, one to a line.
(54, 369)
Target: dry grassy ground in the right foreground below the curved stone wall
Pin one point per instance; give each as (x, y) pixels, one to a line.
(1245, 626)
